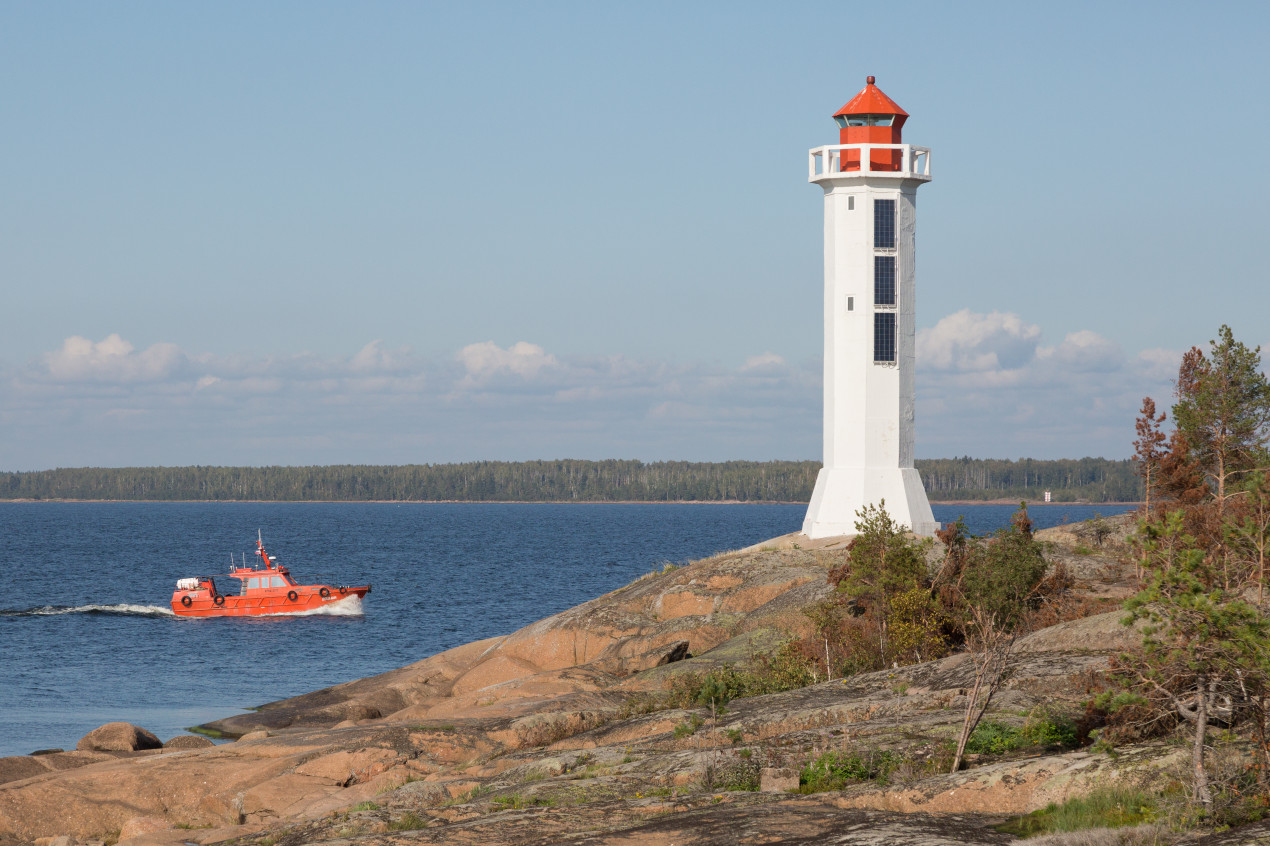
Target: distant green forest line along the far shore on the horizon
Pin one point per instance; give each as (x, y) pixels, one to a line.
(1070, 481)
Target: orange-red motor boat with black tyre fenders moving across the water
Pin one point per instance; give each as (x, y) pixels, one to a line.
(265, 590)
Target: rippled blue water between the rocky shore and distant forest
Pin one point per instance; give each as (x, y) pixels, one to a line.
(87, 636)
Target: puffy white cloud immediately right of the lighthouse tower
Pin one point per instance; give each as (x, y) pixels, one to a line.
(967, 341)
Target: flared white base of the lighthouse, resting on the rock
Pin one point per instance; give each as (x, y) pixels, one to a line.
(841, 492)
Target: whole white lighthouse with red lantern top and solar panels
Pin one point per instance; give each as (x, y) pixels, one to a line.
(871, 184)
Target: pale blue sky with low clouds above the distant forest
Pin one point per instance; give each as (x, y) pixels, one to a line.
(407, 233)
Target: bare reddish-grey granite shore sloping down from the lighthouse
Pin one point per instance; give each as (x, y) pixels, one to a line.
(549, 736)
